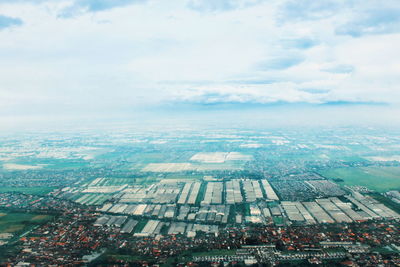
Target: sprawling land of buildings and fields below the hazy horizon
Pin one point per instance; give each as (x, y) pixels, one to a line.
(275, 197)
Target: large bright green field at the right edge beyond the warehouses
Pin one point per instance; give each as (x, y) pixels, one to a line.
(381, 179)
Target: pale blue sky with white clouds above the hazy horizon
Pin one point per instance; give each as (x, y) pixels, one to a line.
(89, 60)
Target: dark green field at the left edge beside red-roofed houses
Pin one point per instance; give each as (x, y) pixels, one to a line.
(15, 222)
